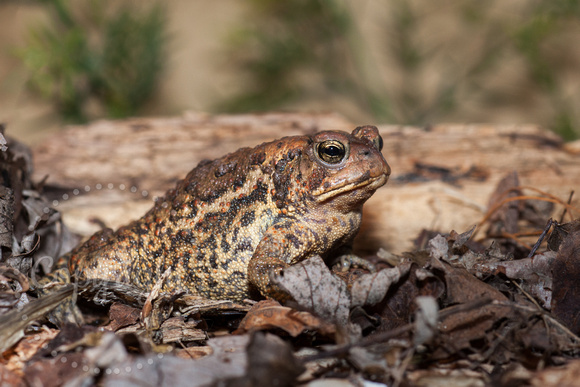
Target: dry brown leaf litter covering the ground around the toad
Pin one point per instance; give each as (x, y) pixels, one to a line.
(462, 309)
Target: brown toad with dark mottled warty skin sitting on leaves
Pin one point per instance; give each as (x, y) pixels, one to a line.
(234, 220)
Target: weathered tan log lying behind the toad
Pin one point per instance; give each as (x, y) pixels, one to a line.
(152, 153)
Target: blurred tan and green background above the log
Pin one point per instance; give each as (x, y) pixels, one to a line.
(415, 62)
